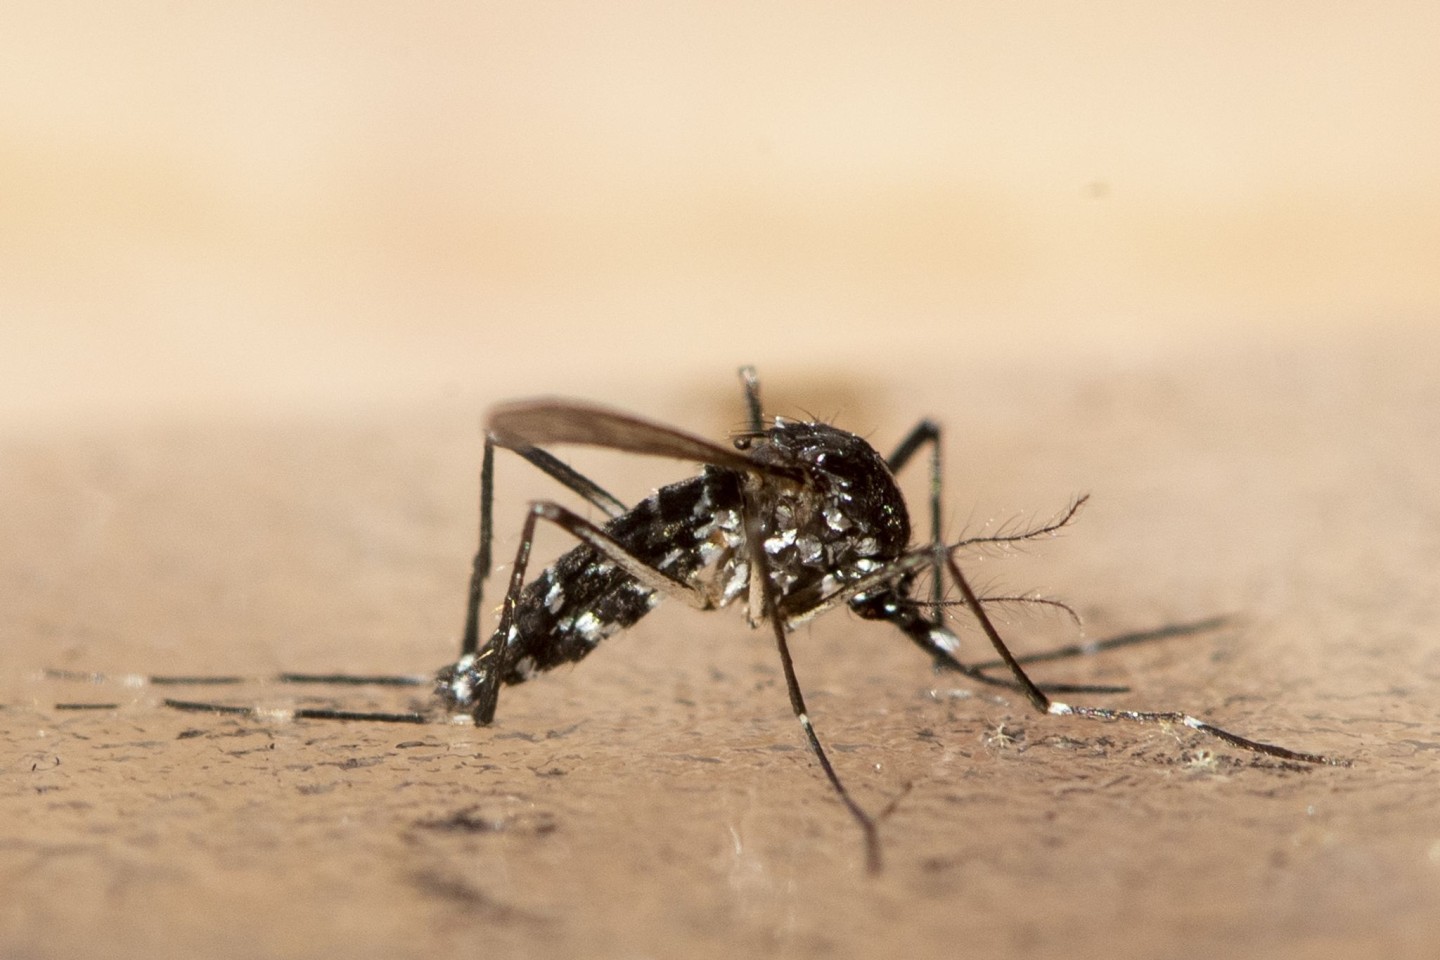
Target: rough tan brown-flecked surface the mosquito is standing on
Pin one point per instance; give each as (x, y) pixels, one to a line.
(657, 797)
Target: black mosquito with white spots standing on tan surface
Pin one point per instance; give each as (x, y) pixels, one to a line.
(791, 520)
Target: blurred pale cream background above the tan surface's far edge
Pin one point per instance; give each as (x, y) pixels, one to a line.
(258, 207)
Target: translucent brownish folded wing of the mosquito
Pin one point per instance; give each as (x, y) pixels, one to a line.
(526, 424)
